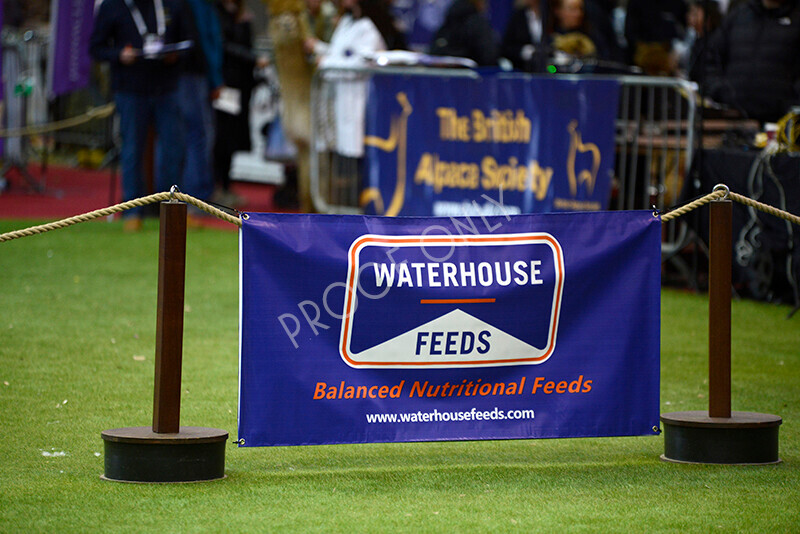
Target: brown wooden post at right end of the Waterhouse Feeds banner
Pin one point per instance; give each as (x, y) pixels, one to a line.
(719, 313)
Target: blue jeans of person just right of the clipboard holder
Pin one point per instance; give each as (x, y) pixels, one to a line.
(197, 122)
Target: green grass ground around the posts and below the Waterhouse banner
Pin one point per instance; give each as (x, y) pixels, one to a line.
(76, 357)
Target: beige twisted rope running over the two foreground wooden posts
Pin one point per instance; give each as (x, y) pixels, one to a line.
(719, 193)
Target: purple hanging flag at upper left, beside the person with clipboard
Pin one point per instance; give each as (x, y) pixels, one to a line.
(69, 45)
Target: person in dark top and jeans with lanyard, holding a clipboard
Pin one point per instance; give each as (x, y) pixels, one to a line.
(135, 37)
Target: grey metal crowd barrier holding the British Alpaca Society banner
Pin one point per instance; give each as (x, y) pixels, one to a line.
(654, 140)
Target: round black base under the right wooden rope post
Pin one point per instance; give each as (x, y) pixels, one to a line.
(744, 438)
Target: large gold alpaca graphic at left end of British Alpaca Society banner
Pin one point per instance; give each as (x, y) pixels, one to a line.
(398, 139)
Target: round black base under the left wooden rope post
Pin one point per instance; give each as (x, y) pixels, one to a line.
(137, 454)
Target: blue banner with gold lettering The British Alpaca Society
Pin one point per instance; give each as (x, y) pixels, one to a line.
(441, 146)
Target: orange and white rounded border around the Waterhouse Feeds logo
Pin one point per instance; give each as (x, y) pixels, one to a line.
(558, 254)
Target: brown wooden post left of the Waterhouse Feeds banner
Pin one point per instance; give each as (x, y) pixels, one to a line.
(169, 322)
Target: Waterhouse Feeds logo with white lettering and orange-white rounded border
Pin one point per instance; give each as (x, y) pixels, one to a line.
(430, 301)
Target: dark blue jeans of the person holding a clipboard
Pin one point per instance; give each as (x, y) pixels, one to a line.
(136, 113)
